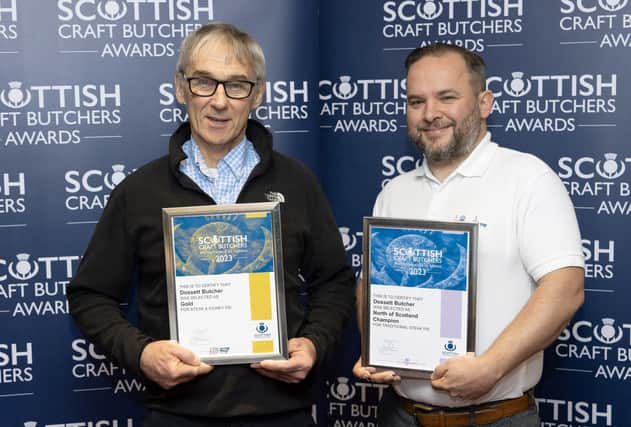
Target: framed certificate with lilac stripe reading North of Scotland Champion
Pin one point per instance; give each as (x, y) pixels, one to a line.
(419, 283)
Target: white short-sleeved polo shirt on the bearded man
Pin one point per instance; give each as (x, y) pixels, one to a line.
(528, 228)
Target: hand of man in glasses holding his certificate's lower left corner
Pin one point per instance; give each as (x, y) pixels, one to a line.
(168, 364)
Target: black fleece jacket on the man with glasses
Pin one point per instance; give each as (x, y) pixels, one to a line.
(128, 239)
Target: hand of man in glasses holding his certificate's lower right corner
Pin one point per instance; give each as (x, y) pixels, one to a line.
(302, 357)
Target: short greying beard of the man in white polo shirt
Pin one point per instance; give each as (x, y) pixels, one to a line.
(462, 144)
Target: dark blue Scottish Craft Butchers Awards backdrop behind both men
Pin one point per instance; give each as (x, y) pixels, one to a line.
(86, 96)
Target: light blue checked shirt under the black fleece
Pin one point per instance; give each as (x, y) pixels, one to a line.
(224, 183)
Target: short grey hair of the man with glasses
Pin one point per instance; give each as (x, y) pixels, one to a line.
(246, 49)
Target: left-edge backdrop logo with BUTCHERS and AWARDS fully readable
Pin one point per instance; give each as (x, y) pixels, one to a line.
(58, 114)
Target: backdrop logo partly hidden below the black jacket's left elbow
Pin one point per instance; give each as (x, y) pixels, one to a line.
(93, 372)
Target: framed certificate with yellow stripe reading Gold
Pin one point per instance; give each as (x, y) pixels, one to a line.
(225, 281)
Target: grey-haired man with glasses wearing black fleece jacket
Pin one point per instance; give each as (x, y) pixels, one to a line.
(218, 156)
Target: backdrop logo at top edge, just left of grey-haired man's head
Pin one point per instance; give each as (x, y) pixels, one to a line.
(128, 28)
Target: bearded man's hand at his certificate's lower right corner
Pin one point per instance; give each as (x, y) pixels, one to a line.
(467, 377)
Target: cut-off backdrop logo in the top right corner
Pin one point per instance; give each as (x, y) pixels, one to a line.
(605, 23)
